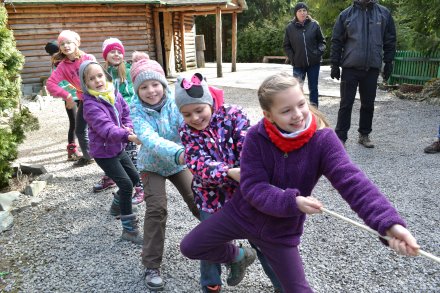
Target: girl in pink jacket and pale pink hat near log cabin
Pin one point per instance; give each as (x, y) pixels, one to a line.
(69, 60)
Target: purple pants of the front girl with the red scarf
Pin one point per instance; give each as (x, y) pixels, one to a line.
(210, 241)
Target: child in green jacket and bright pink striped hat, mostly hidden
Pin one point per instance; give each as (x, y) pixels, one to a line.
(113, 53)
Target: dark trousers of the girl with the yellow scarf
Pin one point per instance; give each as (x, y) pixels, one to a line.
(122, 171)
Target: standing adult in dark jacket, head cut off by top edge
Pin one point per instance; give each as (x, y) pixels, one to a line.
(364, 35)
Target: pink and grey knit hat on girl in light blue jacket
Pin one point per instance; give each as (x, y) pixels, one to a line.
(143, 68)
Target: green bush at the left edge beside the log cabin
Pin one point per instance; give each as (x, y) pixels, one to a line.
(14, 122)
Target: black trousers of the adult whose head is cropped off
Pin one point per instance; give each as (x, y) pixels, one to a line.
(367, 82)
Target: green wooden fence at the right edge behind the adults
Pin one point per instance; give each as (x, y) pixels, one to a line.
(414, 67)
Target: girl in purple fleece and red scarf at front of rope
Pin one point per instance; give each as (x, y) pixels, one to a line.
(283, 157)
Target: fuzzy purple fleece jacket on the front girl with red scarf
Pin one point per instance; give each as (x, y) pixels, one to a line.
(270, 181)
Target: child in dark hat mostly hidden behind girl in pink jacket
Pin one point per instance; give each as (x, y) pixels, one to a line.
(52, 48)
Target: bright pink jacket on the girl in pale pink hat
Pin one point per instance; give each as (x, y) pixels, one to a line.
(67, 70)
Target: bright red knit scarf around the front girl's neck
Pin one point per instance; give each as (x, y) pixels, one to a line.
(288, 144)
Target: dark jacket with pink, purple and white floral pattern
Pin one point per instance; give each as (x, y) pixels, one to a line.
(211, 152)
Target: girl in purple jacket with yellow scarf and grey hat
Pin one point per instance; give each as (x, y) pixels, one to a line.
(110, 128)
